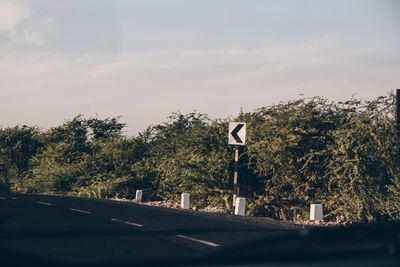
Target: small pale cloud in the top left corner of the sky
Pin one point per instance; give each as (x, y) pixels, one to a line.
(11, 15)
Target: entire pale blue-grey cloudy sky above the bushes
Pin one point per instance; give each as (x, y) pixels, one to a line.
(145, 59)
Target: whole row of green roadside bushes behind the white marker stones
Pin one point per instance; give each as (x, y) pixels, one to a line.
(344, 155)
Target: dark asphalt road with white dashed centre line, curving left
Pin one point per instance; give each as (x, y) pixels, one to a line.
(54, 229)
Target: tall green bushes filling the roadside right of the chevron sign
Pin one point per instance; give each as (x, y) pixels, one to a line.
(341, 155)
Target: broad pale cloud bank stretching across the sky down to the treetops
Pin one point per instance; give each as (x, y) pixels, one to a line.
(146, 87)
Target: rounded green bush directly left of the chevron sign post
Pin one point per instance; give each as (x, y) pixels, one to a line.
(189, 154)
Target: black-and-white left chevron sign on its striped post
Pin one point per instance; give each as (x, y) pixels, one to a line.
(236, 137)
